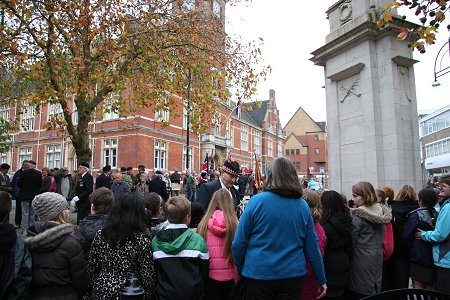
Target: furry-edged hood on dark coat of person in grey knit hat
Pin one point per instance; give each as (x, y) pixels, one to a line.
(46, 236)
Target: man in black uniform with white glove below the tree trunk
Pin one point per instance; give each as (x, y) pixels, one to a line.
(83, 188)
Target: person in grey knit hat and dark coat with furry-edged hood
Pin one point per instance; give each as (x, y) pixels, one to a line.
(59, 267)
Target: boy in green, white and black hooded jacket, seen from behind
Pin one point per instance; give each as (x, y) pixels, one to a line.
(180, 255)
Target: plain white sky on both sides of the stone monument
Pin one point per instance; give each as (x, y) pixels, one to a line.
(291, 30)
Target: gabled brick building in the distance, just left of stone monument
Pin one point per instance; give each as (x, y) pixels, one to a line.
(306, 145)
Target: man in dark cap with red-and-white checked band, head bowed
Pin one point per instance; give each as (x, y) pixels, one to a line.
(227, 180)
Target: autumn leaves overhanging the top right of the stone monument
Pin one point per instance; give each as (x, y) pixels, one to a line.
(430, 15)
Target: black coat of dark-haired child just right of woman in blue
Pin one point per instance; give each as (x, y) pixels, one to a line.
(338, 230)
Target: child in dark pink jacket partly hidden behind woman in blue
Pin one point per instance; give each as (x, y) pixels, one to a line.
(310, 289)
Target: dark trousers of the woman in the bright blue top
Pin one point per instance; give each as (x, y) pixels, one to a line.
(278, 289)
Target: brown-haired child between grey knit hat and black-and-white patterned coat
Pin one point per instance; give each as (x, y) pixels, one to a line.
(102, 200)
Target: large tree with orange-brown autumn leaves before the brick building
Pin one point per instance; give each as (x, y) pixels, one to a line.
(128, 54)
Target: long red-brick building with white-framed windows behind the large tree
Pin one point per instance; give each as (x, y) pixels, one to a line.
(129, 141)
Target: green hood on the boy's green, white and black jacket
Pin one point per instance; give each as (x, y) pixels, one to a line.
(173, 241)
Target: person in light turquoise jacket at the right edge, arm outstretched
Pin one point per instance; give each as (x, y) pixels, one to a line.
(440, 237)
